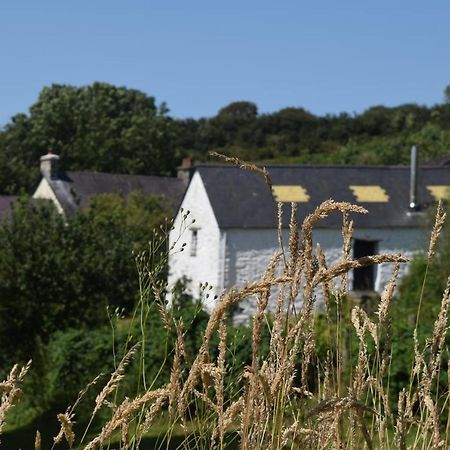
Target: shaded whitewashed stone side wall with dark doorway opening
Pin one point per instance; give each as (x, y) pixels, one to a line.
(248, 252)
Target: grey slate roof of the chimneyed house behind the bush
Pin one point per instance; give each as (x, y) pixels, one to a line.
(74, 189)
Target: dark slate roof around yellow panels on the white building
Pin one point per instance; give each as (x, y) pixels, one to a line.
(241, 199)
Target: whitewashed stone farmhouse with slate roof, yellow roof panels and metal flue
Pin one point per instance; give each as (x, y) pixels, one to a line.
(234, 233)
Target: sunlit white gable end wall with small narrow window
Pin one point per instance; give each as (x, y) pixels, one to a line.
(206, 265)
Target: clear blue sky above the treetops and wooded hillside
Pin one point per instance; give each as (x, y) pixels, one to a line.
(327, 56)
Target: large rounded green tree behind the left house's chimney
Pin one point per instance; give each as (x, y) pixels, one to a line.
(98, 127)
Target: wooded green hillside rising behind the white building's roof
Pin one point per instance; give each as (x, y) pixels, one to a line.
(380, 135)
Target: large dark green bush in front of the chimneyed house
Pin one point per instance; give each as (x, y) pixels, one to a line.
(57, 273)
